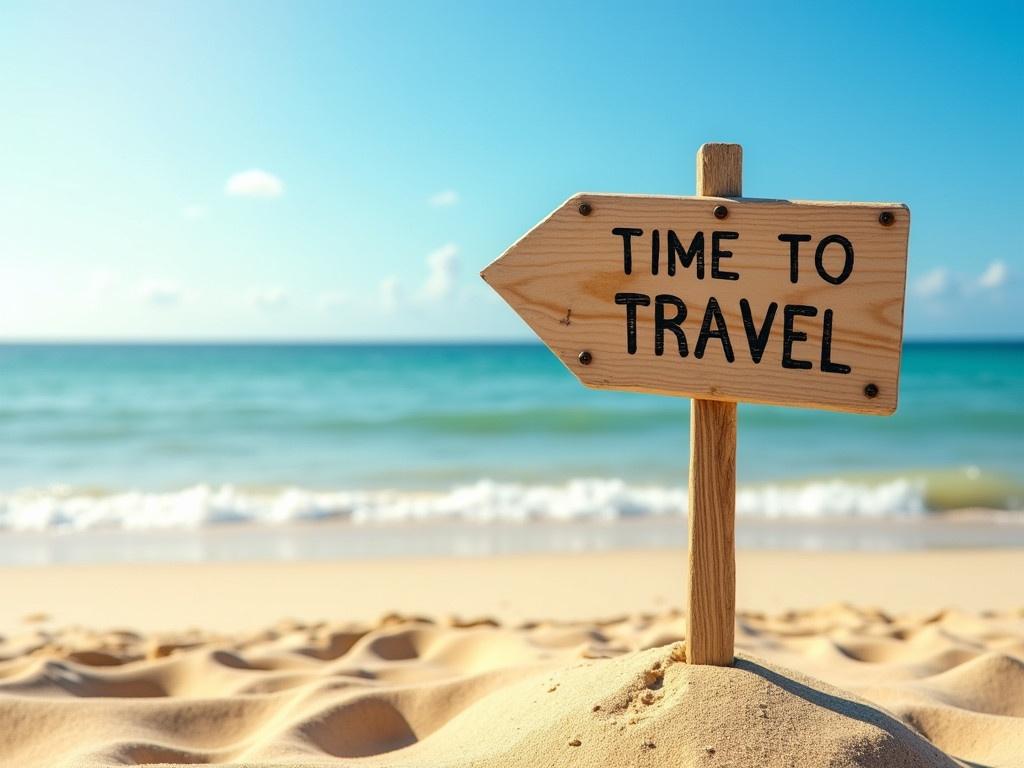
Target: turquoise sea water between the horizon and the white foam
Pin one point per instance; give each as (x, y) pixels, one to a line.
(92, 421)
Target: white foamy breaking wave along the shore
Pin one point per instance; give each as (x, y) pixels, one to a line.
(482, 502)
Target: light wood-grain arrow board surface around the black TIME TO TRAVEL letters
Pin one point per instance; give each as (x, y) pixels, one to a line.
(563, 278)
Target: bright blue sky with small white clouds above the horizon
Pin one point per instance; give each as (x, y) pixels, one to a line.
(345, 170)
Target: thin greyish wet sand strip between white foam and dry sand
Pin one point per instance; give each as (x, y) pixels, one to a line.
(333, 540)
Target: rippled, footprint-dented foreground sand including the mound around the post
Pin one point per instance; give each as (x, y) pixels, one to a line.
(412, 693)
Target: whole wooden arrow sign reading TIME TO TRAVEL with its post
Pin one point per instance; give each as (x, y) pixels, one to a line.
(722, 300)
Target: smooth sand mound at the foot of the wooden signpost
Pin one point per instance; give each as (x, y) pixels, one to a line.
(650, 708)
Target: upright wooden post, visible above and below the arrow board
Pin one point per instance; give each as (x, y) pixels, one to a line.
(712, 569)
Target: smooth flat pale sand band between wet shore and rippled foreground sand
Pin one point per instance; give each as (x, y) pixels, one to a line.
(234, 596)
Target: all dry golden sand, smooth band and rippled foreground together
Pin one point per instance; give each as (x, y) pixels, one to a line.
(598, 677)
